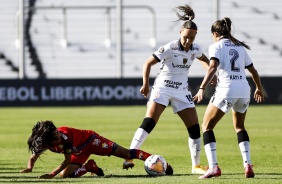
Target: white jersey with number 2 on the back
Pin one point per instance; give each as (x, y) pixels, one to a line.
(233, 60)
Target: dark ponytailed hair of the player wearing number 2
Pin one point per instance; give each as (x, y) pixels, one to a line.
(223, 28)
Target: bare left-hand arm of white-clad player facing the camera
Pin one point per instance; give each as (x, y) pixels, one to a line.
(146, 74)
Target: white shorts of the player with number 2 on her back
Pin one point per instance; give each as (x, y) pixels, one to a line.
(237, 104)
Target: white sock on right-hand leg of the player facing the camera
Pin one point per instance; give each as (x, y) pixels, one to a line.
(195, 150)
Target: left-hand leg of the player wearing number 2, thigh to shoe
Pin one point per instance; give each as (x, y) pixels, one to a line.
(212, 116)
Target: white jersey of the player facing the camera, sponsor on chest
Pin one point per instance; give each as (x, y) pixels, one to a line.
(175, 65)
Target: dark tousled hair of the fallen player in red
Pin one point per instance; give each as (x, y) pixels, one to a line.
(42, 134)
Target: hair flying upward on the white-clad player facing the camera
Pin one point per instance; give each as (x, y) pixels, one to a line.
(186, 14)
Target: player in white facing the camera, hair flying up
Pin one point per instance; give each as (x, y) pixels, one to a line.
(171, 85)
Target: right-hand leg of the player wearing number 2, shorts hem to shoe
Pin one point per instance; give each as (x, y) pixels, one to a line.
(239, 115)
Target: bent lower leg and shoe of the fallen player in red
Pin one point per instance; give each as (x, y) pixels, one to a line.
(77, 168)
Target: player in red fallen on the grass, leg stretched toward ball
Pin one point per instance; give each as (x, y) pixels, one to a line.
(76, 145)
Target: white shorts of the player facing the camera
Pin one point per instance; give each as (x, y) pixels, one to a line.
(179, 100)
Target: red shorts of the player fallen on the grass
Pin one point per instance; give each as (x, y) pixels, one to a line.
(98, 145)
